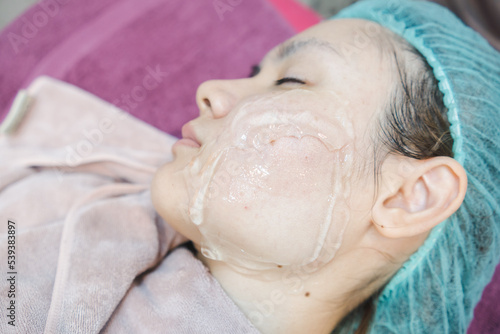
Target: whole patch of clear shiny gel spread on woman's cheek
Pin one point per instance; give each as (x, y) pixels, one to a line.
(271, 189)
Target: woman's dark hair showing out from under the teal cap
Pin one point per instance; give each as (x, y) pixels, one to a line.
(413, 124)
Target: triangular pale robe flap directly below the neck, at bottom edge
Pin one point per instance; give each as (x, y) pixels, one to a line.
(179, 296)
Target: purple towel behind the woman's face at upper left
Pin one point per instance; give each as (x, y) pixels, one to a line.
(108, 47)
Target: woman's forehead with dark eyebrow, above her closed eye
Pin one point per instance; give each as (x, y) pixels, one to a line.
(359, 50)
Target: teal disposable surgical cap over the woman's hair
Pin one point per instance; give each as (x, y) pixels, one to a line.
(437, 289)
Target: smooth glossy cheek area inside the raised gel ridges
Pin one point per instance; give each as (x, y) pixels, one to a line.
(271, 205)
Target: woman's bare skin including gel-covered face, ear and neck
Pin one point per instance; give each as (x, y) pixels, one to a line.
(265, 258)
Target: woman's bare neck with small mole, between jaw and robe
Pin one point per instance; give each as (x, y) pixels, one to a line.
(284, 301)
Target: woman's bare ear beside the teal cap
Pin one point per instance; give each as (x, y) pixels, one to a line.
(431, 191)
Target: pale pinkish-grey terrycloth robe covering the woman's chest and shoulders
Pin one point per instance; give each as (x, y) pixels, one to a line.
(75, 180)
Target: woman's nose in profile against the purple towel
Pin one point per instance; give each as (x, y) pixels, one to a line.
(217, 98)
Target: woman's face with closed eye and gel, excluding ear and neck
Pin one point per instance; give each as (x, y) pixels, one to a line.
(273, 171)
